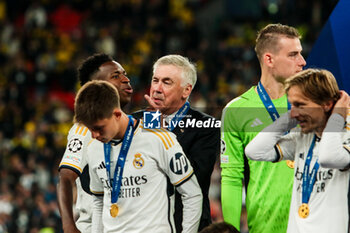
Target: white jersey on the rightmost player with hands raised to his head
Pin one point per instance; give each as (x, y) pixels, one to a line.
(328, 200)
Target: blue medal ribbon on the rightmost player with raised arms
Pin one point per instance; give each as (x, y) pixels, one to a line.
(309, 179)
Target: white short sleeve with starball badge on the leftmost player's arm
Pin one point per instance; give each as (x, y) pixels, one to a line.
(73, 158)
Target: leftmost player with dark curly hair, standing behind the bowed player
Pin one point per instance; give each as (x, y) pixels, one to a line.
(73, 164)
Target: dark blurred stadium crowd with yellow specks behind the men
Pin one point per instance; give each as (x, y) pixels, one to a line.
(42, 42)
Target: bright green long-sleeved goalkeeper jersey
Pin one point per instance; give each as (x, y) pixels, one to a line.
(269, 185)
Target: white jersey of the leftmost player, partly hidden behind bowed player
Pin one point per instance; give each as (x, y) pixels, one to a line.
(74, 158)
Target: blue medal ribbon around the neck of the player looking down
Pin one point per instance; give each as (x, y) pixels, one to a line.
(119, 168)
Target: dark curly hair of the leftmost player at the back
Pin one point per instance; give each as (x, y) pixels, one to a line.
(91, 65)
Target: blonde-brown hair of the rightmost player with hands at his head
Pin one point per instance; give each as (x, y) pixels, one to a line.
(319, 85)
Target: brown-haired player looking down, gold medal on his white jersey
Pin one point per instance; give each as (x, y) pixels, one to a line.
(132, 167)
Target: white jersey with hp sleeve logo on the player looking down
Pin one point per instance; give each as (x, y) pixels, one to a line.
(144, 206)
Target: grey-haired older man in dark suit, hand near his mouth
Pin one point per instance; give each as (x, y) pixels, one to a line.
(174, 77)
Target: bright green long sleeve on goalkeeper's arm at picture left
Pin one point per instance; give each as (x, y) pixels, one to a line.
(232, 165)
